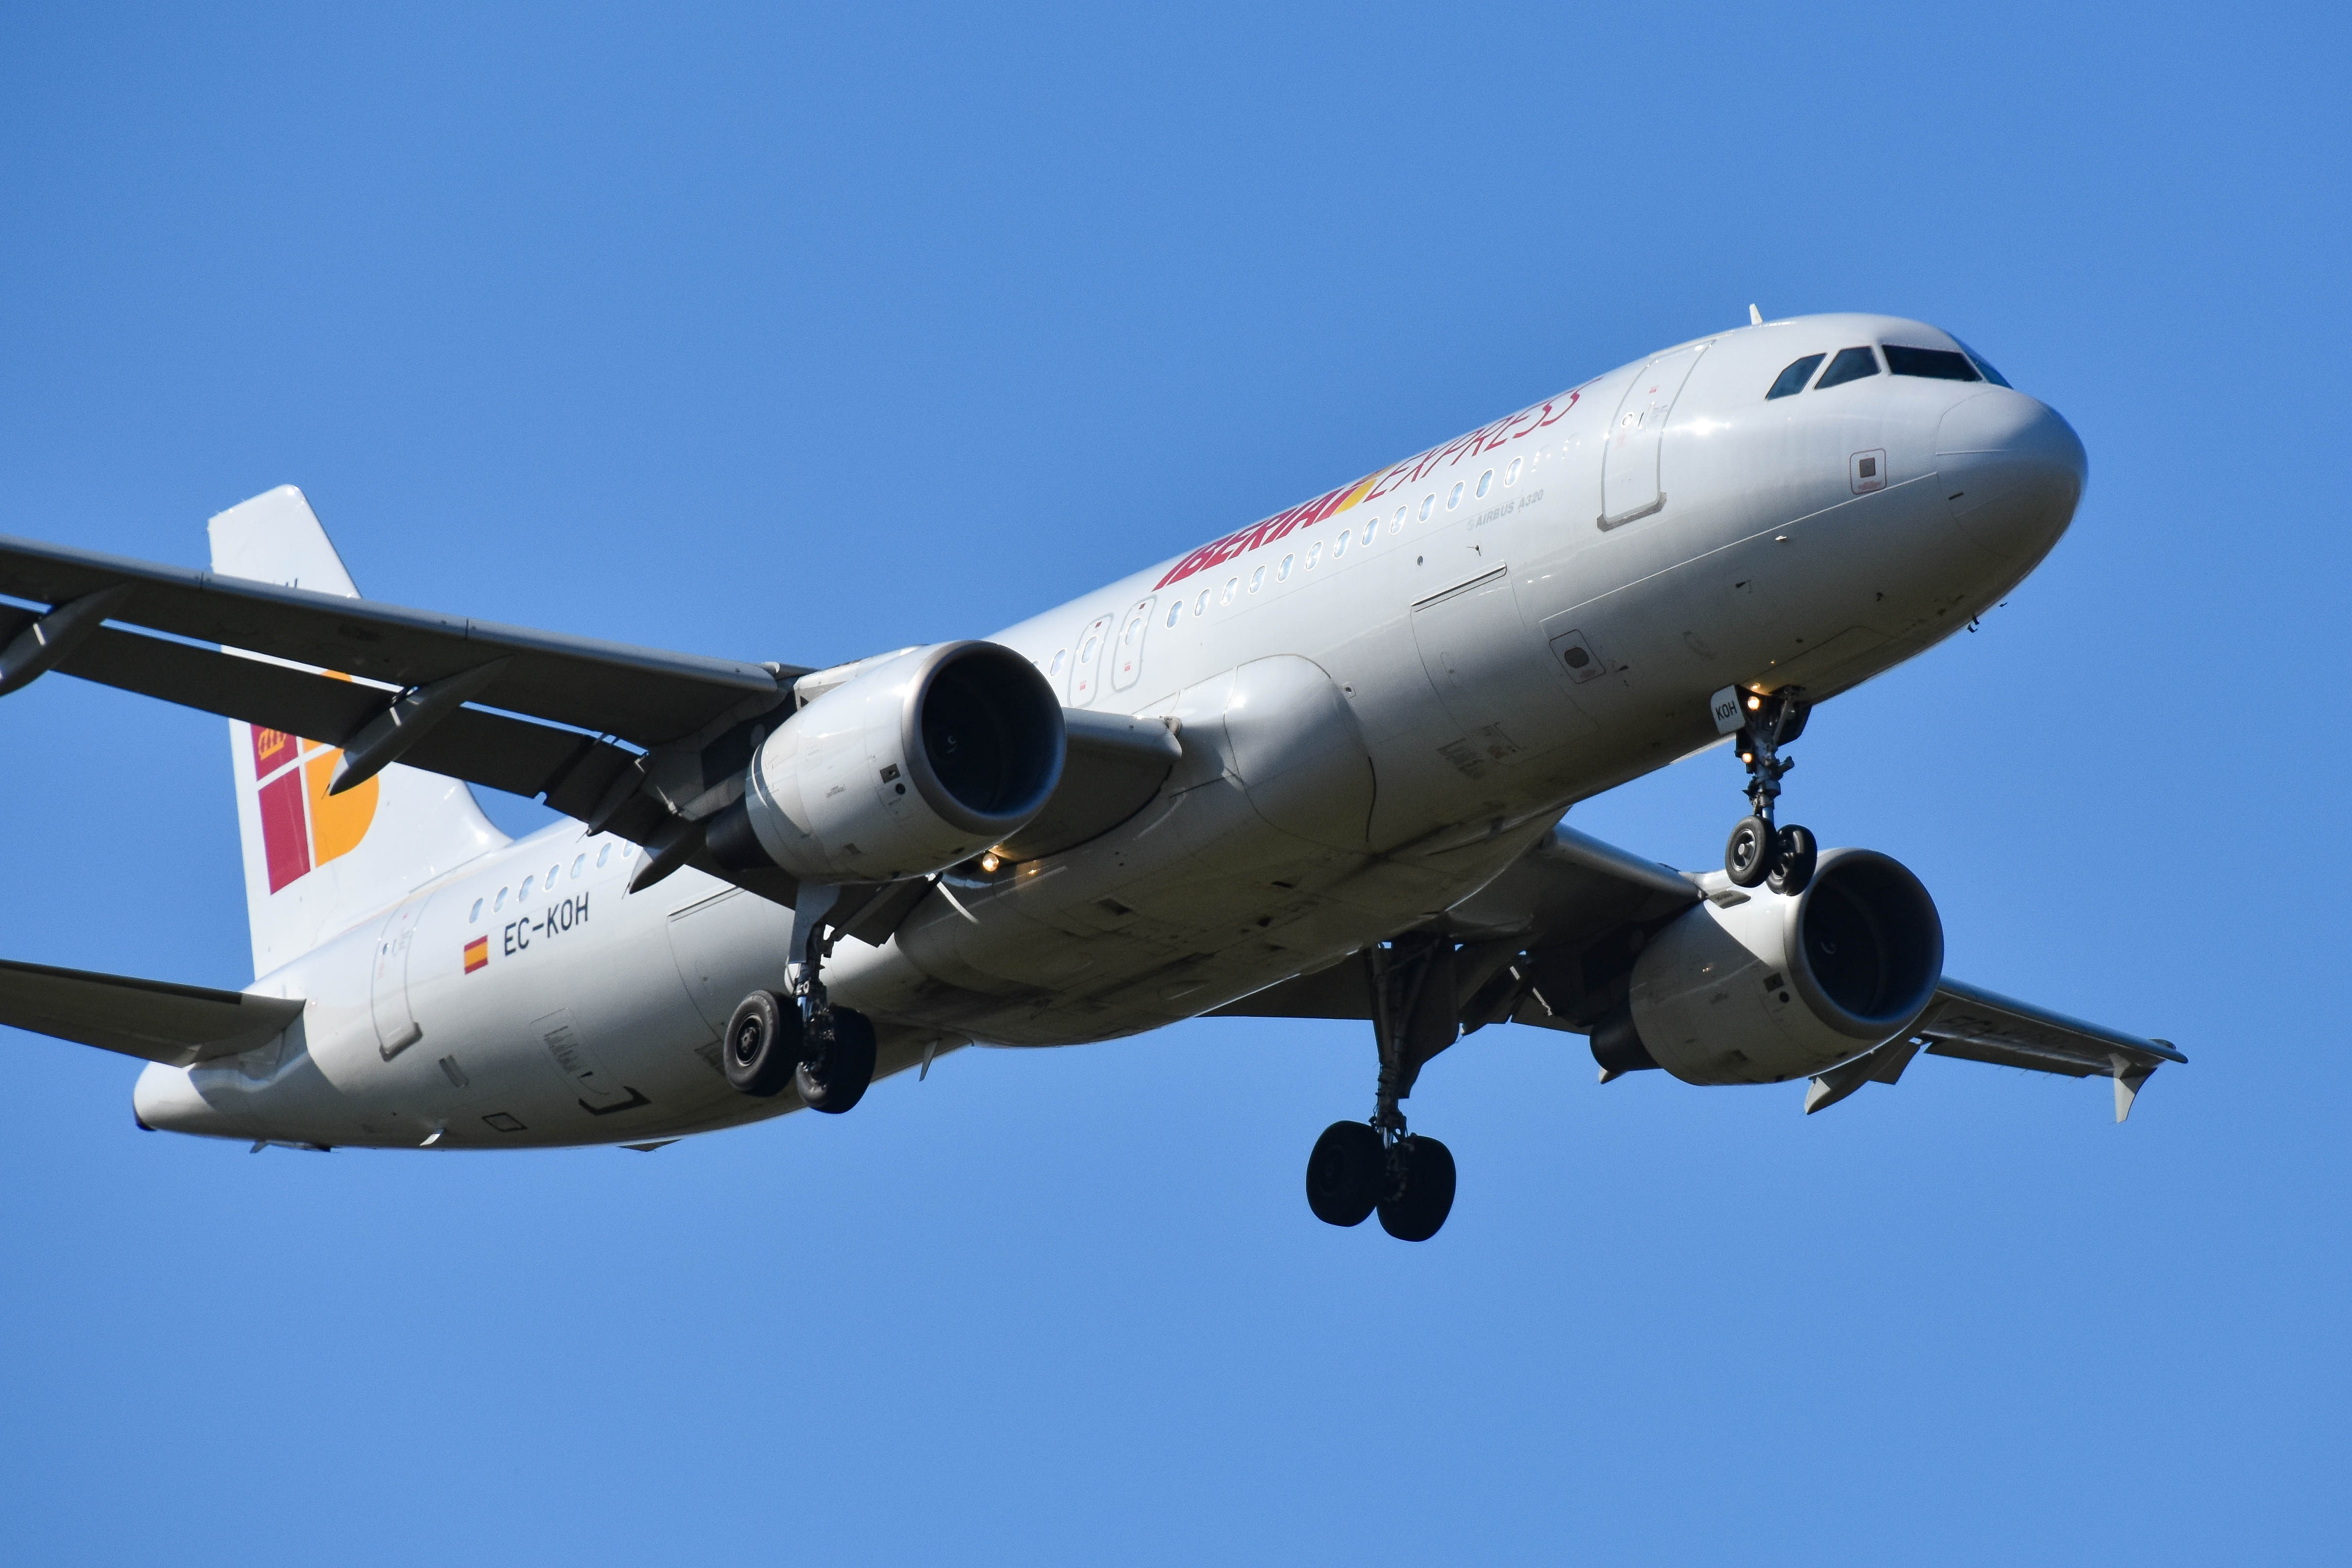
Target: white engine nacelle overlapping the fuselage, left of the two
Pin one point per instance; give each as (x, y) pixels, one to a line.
(909, 768)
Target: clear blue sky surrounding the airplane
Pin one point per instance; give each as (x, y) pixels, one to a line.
(806, 337)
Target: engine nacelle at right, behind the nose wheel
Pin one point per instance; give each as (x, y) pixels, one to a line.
(1779, 989)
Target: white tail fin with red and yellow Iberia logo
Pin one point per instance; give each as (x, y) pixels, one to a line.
(316, 864)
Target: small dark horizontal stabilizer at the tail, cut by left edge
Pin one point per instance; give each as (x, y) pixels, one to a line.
(154, 1019)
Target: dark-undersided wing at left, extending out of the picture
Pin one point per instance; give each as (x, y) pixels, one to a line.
(514, 709)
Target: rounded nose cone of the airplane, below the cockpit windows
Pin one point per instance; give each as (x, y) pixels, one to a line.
(2012, 471)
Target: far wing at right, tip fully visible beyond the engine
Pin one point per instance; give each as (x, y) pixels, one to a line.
(1551, 939)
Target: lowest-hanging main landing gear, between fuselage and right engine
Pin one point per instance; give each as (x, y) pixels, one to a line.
(1379, 1167)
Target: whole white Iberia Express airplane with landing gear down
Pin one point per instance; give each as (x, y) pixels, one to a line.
(1309, 770)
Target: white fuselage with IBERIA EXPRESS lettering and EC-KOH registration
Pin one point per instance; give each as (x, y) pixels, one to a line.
(1382, 699)
